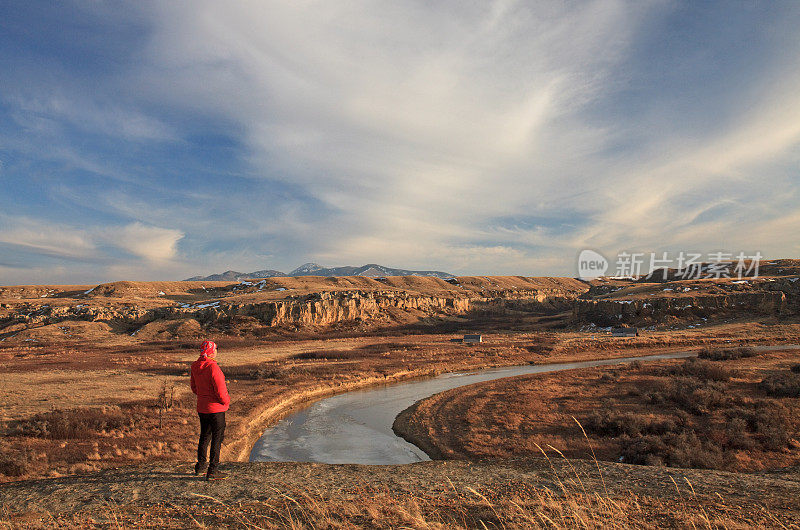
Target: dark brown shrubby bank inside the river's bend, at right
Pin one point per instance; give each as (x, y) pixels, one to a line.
(738, 412)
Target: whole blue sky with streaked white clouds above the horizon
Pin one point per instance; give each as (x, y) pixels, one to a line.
(161, 140)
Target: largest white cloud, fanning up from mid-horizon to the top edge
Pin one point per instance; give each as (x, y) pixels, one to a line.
(413, 122)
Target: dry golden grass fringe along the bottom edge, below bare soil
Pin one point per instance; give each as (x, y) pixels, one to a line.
(569, 504)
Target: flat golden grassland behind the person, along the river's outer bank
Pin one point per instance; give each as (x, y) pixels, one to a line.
(124, 405)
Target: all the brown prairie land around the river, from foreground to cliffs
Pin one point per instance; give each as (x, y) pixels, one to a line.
(106, 404)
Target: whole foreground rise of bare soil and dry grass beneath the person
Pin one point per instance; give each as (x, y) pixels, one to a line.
(551, 492)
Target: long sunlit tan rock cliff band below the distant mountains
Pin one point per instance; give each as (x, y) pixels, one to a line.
(157, 310)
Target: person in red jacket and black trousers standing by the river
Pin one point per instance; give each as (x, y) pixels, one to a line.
(208, 382)
